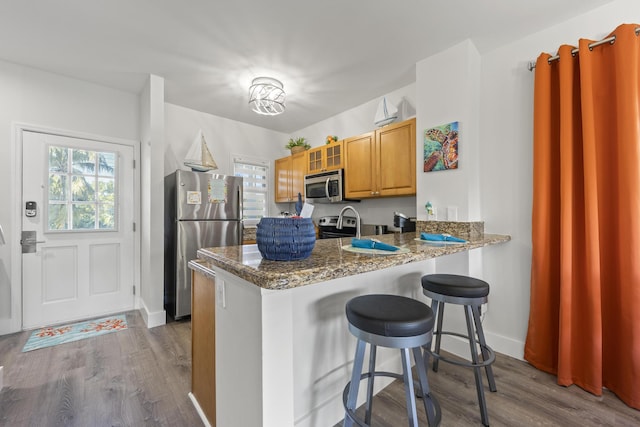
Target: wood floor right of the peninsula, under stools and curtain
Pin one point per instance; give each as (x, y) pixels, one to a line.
(525, 397)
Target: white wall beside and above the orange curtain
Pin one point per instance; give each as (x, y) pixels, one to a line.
(506, 126)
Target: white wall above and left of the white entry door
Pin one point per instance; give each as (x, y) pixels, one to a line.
(48, 100)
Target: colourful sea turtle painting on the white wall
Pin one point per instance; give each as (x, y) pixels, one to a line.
(441, 147)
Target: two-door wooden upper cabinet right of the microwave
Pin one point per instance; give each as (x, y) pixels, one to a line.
(382, 163)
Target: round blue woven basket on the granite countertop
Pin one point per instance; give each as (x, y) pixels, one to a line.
(285, 239)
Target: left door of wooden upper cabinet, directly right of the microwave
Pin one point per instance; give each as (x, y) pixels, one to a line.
(360, 156)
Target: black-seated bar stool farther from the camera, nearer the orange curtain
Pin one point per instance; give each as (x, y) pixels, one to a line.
(471, 293)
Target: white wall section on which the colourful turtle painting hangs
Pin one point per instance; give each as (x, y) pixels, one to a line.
(448, 90)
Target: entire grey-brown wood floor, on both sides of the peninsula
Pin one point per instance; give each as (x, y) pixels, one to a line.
(141, 377)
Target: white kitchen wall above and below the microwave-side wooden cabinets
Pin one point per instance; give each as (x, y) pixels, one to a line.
(354, 122)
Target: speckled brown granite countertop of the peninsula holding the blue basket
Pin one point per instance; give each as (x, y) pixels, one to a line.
(329, 261)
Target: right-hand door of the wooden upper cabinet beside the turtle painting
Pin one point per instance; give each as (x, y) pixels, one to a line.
(396, 159)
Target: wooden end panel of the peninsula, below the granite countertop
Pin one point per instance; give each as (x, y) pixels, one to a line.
(203, 344)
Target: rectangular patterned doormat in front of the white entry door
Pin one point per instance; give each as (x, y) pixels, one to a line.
(47, 337)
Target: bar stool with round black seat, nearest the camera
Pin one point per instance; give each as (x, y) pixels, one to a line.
(395, 322)
